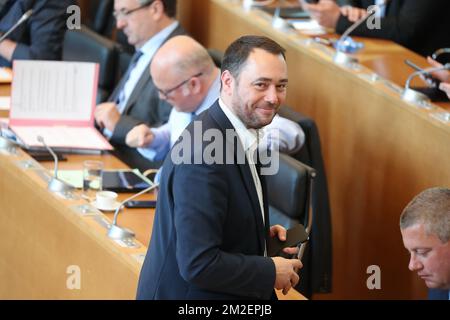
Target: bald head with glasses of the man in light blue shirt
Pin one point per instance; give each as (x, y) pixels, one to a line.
(181, 70)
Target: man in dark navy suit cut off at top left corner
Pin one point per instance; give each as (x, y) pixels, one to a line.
(39, 38)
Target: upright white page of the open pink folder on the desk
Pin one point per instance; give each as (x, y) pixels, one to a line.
(53, 90)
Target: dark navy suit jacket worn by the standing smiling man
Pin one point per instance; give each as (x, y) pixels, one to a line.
(208, 237)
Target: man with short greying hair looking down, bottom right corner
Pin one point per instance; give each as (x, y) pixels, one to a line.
(425, 228)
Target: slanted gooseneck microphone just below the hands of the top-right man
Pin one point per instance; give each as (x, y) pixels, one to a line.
(346, 45)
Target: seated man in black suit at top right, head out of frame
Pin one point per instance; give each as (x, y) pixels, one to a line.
(421, 26)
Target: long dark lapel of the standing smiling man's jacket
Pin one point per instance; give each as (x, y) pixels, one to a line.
(244, 168)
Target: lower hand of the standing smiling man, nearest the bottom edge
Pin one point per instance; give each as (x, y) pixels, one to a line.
(286, 273)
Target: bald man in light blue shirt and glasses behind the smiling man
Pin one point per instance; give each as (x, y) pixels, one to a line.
(187, 78)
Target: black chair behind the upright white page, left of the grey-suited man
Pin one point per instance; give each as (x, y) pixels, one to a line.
(87, 46)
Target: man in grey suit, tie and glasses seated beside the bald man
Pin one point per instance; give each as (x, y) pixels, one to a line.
(147, 25)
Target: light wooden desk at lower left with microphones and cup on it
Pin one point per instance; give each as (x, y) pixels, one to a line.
(42, 235)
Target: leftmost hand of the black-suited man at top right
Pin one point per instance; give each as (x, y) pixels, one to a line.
(325, 12)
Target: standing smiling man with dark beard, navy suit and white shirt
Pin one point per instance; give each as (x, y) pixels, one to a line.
(211, 227)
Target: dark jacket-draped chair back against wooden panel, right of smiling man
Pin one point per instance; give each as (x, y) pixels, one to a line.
(317, 262)
